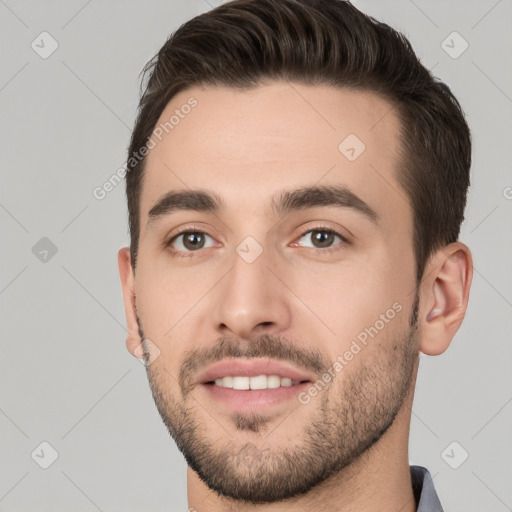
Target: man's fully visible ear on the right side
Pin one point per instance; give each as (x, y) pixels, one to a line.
(444, 294)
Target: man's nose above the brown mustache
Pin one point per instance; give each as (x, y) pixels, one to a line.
(251, 299)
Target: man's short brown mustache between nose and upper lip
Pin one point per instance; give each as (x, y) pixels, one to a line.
(268, 346)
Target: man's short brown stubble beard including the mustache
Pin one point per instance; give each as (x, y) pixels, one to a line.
(348, 419)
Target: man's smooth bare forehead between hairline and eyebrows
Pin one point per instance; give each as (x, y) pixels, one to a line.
(247, 145)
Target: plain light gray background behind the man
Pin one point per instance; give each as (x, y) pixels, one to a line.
(65, 375)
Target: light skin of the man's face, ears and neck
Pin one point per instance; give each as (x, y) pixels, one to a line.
(245, 147)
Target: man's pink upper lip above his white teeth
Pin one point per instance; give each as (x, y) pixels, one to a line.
(251, 368)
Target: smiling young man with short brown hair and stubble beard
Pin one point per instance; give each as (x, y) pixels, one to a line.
(296, 185)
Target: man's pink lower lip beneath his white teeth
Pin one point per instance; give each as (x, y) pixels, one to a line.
(251, 399)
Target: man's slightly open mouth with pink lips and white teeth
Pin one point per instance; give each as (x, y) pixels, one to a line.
(253, 384)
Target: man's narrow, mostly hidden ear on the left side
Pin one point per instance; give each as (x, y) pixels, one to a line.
(133, 339)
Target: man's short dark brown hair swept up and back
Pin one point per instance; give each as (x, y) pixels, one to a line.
(246, 43)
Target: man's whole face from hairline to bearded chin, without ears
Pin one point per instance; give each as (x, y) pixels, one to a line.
(277, 288)
